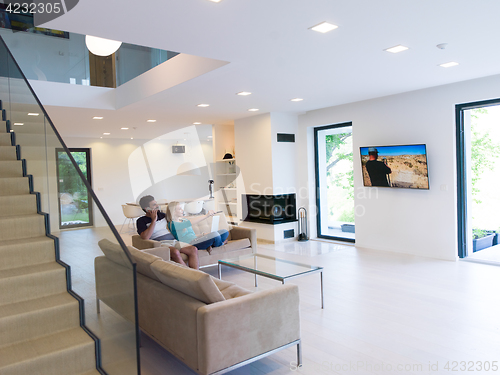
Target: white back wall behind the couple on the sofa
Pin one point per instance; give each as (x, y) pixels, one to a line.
(112, 178)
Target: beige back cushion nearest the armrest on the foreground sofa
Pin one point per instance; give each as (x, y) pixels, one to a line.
(194, 283)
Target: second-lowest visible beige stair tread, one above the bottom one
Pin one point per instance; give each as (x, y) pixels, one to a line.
(26, 307)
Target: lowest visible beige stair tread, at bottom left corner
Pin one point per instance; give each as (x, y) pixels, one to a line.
(30, 350)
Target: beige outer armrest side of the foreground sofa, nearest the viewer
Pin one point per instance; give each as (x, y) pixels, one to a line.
(241, 328)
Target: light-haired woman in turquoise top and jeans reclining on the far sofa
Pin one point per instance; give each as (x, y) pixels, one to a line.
(182, 229)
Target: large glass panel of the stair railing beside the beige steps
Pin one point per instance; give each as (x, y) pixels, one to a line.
(29, 143)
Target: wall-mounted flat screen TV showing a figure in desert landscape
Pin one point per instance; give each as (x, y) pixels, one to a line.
(395, 166)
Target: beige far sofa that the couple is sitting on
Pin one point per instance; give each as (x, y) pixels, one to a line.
(241, 241)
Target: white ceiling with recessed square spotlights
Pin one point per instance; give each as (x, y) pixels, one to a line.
(272, 53)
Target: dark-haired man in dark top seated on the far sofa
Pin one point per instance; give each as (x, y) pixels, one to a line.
(154, 226)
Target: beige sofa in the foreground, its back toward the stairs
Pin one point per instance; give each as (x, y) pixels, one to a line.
(211, 325)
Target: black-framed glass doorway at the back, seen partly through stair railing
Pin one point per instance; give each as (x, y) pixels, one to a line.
(75, 205)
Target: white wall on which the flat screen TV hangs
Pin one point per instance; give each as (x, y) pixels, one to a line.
(401, 220)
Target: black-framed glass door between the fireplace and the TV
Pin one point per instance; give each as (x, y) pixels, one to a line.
(334, 182)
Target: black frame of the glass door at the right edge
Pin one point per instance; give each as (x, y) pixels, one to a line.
(462, 173)
